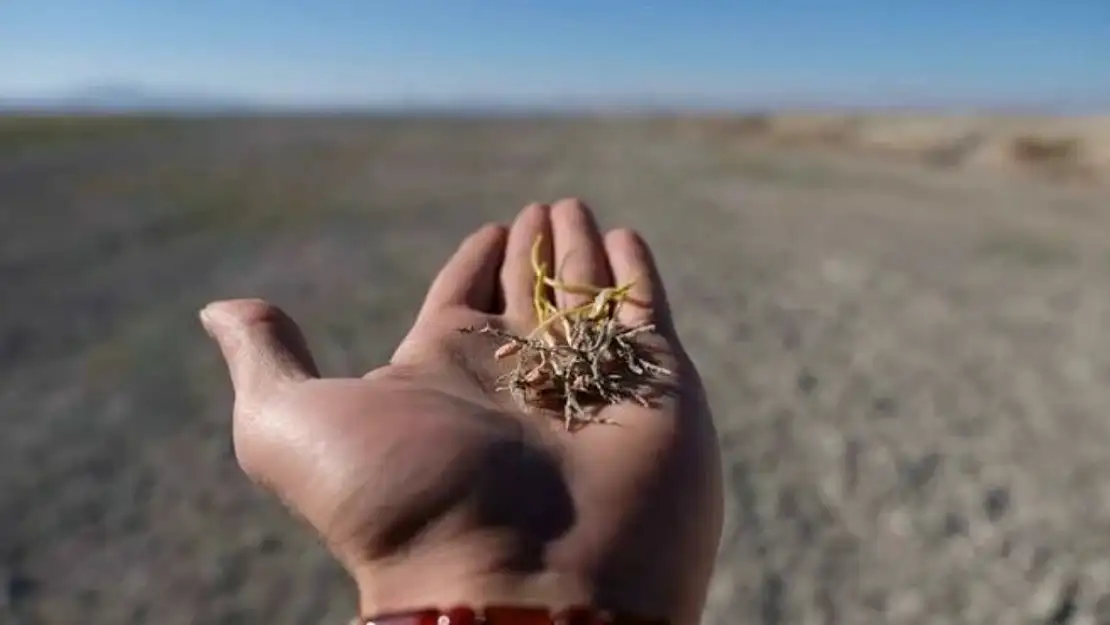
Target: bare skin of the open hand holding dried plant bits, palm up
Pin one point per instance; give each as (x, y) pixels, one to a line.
(435, 490)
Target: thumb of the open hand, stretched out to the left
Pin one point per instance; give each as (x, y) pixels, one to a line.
(264, 348)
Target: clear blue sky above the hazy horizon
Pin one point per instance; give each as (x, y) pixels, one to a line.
(748, 53)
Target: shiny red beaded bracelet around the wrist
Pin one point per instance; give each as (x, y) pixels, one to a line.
(509, 616)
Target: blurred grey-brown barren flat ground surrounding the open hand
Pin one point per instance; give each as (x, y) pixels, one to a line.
(909, 364)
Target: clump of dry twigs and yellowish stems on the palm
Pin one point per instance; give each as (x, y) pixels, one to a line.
(578, 360)
